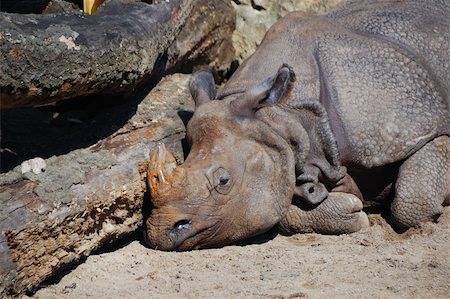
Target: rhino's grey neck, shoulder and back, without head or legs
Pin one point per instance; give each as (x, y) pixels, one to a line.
(380, 68)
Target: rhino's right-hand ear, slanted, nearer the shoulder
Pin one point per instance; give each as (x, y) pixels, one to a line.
(269, 91)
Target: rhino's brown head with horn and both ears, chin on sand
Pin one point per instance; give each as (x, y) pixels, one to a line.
(239, 177)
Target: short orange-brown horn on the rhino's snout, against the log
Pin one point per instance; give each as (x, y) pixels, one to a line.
(161, 169)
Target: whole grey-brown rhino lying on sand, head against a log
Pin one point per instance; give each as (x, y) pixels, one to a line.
(330, 114)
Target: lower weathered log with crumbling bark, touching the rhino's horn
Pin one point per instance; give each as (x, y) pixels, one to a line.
(87, 197)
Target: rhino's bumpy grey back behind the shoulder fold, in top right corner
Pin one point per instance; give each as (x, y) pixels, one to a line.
(420, 27)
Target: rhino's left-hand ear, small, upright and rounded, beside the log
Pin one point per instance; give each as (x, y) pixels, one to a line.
(202, 87)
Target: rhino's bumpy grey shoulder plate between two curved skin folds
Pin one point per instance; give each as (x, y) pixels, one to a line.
(388, 103)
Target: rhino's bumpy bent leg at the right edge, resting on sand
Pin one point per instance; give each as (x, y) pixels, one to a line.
(423, 185)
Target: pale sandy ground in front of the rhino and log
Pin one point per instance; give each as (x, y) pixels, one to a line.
(373, 263)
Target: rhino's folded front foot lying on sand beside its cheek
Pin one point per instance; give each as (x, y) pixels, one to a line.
(339, 213)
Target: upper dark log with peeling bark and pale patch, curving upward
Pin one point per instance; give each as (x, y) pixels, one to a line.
(46, 58)
